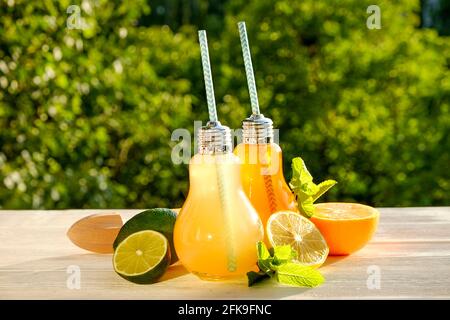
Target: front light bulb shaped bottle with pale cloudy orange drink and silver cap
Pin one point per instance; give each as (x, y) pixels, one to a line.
(217, 228)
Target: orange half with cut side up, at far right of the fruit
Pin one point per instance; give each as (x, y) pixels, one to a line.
(347, 227)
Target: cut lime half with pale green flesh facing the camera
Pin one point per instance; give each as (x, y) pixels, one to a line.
(142, 257)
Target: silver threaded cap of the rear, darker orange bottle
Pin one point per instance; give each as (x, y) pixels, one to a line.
(257, 129)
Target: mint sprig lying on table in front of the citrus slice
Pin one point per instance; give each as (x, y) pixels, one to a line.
(278, 264)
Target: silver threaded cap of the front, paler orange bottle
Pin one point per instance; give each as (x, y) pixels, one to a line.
(214, 138)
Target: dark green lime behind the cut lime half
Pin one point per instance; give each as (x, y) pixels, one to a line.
(158, 219)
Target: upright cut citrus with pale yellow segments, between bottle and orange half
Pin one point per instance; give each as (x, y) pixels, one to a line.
(288, 227)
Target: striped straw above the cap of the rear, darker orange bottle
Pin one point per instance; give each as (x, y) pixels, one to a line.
(249, 68)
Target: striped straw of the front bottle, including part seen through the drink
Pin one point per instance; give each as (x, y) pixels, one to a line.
(221, 175)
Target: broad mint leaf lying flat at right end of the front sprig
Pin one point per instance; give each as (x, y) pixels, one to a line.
(297, 275)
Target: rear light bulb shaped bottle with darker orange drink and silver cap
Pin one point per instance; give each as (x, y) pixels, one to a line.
(262, 168)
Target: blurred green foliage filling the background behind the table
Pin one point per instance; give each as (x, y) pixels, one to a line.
(86, 116)
